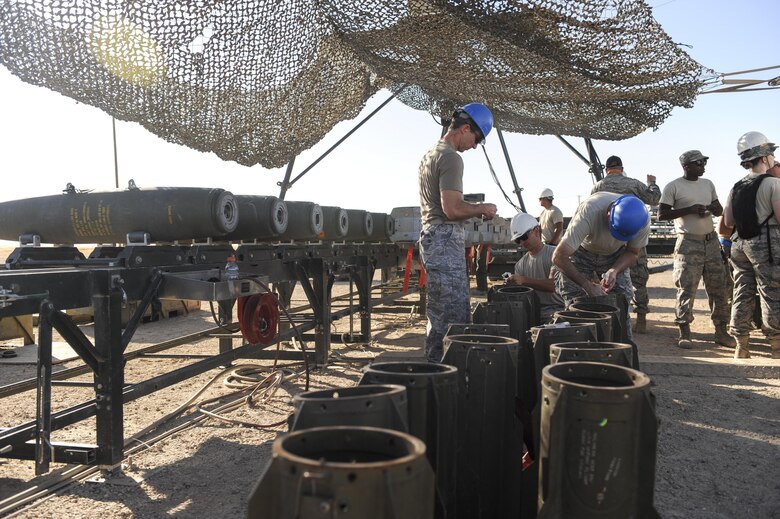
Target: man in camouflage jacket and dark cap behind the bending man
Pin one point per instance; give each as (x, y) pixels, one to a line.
(617, 182)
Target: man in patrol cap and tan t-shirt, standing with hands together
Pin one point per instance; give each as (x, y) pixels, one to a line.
(691, 202)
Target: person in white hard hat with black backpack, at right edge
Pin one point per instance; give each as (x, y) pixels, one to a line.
(756, 261)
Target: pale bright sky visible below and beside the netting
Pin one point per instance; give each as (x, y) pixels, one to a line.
(48, 140)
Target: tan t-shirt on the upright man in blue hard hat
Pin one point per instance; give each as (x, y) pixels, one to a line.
(440, 169)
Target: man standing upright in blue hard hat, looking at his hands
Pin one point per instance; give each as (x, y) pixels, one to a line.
(442, 208)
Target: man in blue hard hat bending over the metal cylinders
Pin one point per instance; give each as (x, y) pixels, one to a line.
(601, 243)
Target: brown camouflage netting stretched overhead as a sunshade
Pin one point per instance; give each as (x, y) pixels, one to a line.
(258, 81)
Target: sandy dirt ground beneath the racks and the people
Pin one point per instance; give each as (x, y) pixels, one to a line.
(718, 447)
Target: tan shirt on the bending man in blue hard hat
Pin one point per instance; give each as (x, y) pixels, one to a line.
(589, 227)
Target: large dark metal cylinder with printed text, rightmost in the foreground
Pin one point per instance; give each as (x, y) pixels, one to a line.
(598, 442)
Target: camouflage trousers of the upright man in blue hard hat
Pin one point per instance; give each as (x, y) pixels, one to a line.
(442, 250)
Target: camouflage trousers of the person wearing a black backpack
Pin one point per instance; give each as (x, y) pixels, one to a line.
(753, 272)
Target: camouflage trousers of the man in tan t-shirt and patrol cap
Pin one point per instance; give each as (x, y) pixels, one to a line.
(694, 260)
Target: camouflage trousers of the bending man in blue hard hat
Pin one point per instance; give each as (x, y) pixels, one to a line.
(592, 266)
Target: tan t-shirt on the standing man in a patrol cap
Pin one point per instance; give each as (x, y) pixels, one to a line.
(681, 193)
